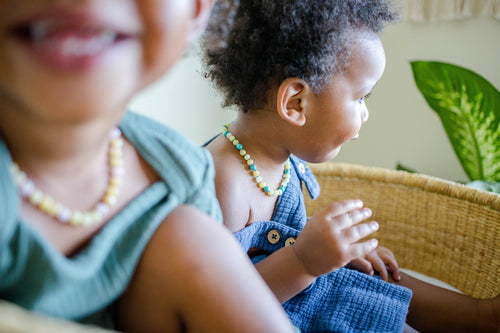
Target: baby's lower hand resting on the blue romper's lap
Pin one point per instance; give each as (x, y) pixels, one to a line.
(380, 261)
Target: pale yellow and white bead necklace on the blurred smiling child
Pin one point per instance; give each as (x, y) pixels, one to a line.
(63, 214)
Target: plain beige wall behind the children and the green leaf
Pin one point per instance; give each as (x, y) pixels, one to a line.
(402, 128)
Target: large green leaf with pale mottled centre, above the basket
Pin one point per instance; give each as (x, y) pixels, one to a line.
(469, 108)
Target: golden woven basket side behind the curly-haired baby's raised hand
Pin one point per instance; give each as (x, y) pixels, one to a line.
(439, 228)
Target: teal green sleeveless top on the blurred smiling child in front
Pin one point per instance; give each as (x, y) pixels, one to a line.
(35, 275)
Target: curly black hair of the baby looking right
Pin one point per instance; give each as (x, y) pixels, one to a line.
(251, 46)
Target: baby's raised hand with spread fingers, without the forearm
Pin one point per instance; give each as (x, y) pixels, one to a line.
(329, 239)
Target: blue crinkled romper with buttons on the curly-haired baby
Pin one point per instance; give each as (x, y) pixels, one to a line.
(342, 301)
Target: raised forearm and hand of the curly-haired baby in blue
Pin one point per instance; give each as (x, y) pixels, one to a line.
(328, 241)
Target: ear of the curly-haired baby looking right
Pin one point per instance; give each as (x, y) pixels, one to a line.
(293, 94)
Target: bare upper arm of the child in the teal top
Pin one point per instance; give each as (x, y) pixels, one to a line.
(194, 277)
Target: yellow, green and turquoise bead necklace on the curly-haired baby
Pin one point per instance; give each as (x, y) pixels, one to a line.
(253, 168)
